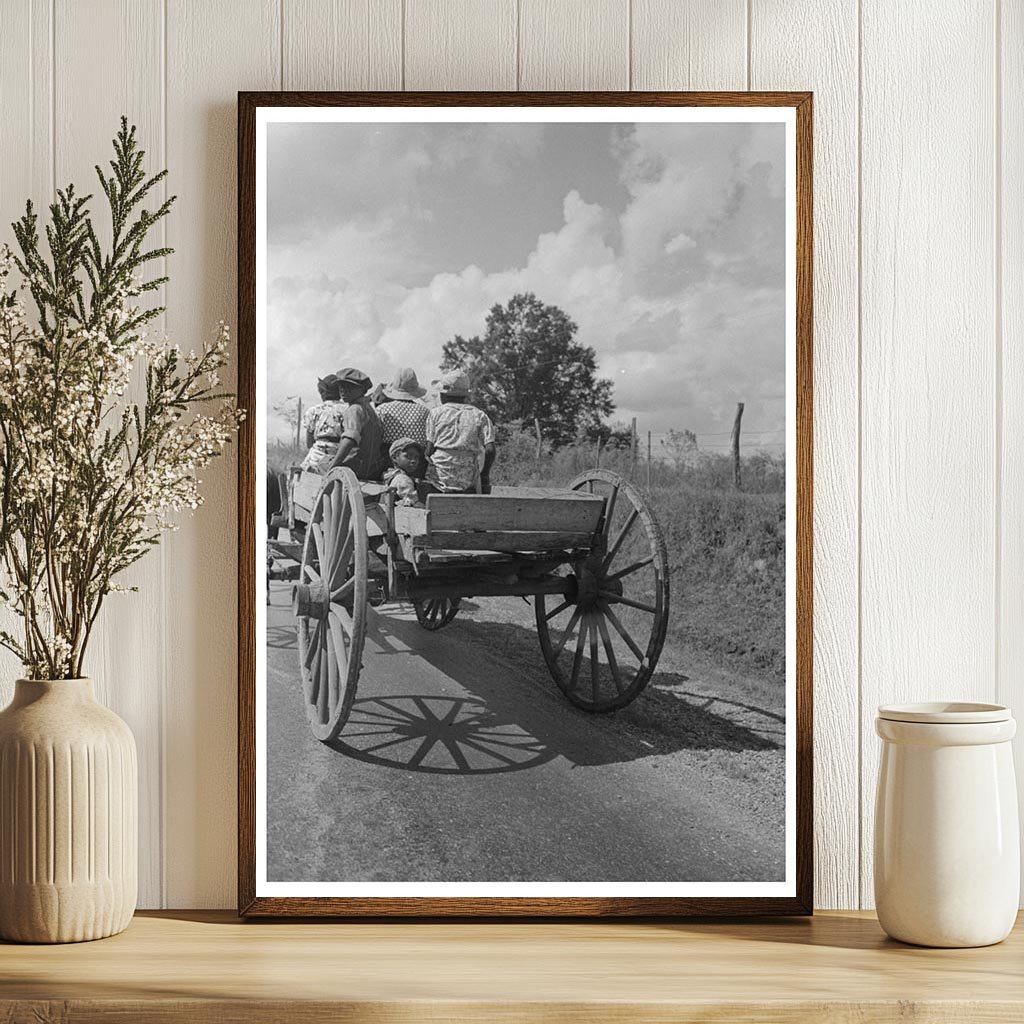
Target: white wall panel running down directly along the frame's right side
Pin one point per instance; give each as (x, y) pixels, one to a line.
(801, 46)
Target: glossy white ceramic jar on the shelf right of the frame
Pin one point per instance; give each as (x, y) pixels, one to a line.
(947, 841)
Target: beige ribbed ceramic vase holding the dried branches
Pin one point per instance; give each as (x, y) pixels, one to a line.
(69, 797)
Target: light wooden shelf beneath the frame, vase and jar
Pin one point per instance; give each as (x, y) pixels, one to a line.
(206, 967)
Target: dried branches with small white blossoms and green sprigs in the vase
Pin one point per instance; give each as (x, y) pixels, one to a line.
(90, 478)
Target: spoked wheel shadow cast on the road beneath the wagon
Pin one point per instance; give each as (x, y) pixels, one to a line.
(438, 736)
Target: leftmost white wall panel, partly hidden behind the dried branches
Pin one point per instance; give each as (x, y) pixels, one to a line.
(26, 165)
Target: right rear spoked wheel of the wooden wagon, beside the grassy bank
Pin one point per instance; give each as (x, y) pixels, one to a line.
(603, 641)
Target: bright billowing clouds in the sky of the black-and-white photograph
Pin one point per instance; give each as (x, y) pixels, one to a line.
(680, 291)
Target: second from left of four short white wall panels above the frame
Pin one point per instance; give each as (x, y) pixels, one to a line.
(460, 45)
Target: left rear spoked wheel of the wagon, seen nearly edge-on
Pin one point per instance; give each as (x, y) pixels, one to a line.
(330, 602)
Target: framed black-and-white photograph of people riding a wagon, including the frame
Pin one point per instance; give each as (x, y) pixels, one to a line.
(526, 605)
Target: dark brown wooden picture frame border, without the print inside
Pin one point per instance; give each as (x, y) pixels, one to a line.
(252, 906)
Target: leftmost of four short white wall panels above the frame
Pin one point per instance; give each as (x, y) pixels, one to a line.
(346, 45)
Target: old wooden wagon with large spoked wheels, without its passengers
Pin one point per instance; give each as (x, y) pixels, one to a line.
(591, 557)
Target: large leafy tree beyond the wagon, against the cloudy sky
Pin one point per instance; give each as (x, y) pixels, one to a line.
(529, 366)
